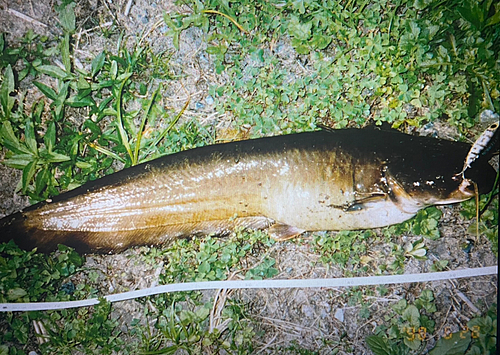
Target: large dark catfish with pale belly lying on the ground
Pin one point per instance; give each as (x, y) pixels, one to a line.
(325, 180)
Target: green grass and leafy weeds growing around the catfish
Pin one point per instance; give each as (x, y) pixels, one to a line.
(406, 63)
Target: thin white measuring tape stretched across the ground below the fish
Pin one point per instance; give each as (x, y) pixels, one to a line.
(215, 285)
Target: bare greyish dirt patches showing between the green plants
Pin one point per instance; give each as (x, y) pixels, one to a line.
(315, 319)
